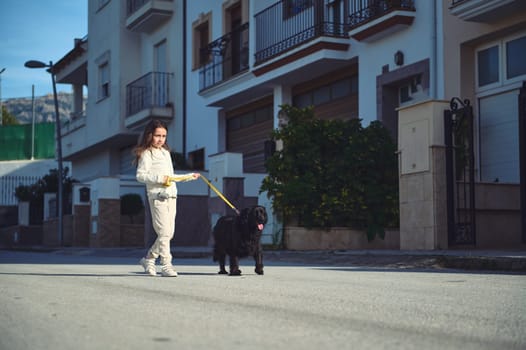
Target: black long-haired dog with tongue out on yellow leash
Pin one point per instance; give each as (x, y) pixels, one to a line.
(240, 236)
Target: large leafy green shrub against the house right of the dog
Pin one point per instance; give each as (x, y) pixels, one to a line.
(334, 173)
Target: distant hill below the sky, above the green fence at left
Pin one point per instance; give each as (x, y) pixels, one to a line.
(22, 109)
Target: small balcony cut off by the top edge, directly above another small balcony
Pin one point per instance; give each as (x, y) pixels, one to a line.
(147, 15)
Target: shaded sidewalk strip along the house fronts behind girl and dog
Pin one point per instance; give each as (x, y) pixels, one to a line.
(480, 260)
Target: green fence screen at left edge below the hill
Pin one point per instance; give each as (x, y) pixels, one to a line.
(15, 141)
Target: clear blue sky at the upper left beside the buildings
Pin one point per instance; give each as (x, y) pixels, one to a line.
(42, 30)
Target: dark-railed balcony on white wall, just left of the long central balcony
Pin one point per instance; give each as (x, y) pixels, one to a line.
(228, 56)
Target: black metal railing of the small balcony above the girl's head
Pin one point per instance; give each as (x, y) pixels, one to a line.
(150, 90)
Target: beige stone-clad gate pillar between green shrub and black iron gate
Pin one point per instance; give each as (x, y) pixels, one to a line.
(422, 176)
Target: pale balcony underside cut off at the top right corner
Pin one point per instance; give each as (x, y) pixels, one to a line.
(486, 11)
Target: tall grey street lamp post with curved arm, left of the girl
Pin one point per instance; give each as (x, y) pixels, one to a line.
(38, 64)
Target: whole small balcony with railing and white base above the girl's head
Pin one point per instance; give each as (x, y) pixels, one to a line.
(148, 97)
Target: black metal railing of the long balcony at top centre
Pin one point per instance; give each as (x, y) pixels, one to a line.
(288, 24)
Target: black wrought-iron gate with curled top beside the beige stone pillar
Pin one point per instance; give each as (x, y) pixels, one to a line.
(460, 172)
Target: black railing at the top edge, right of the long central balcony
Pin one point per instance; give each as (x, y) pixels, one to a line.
(362, 11)
